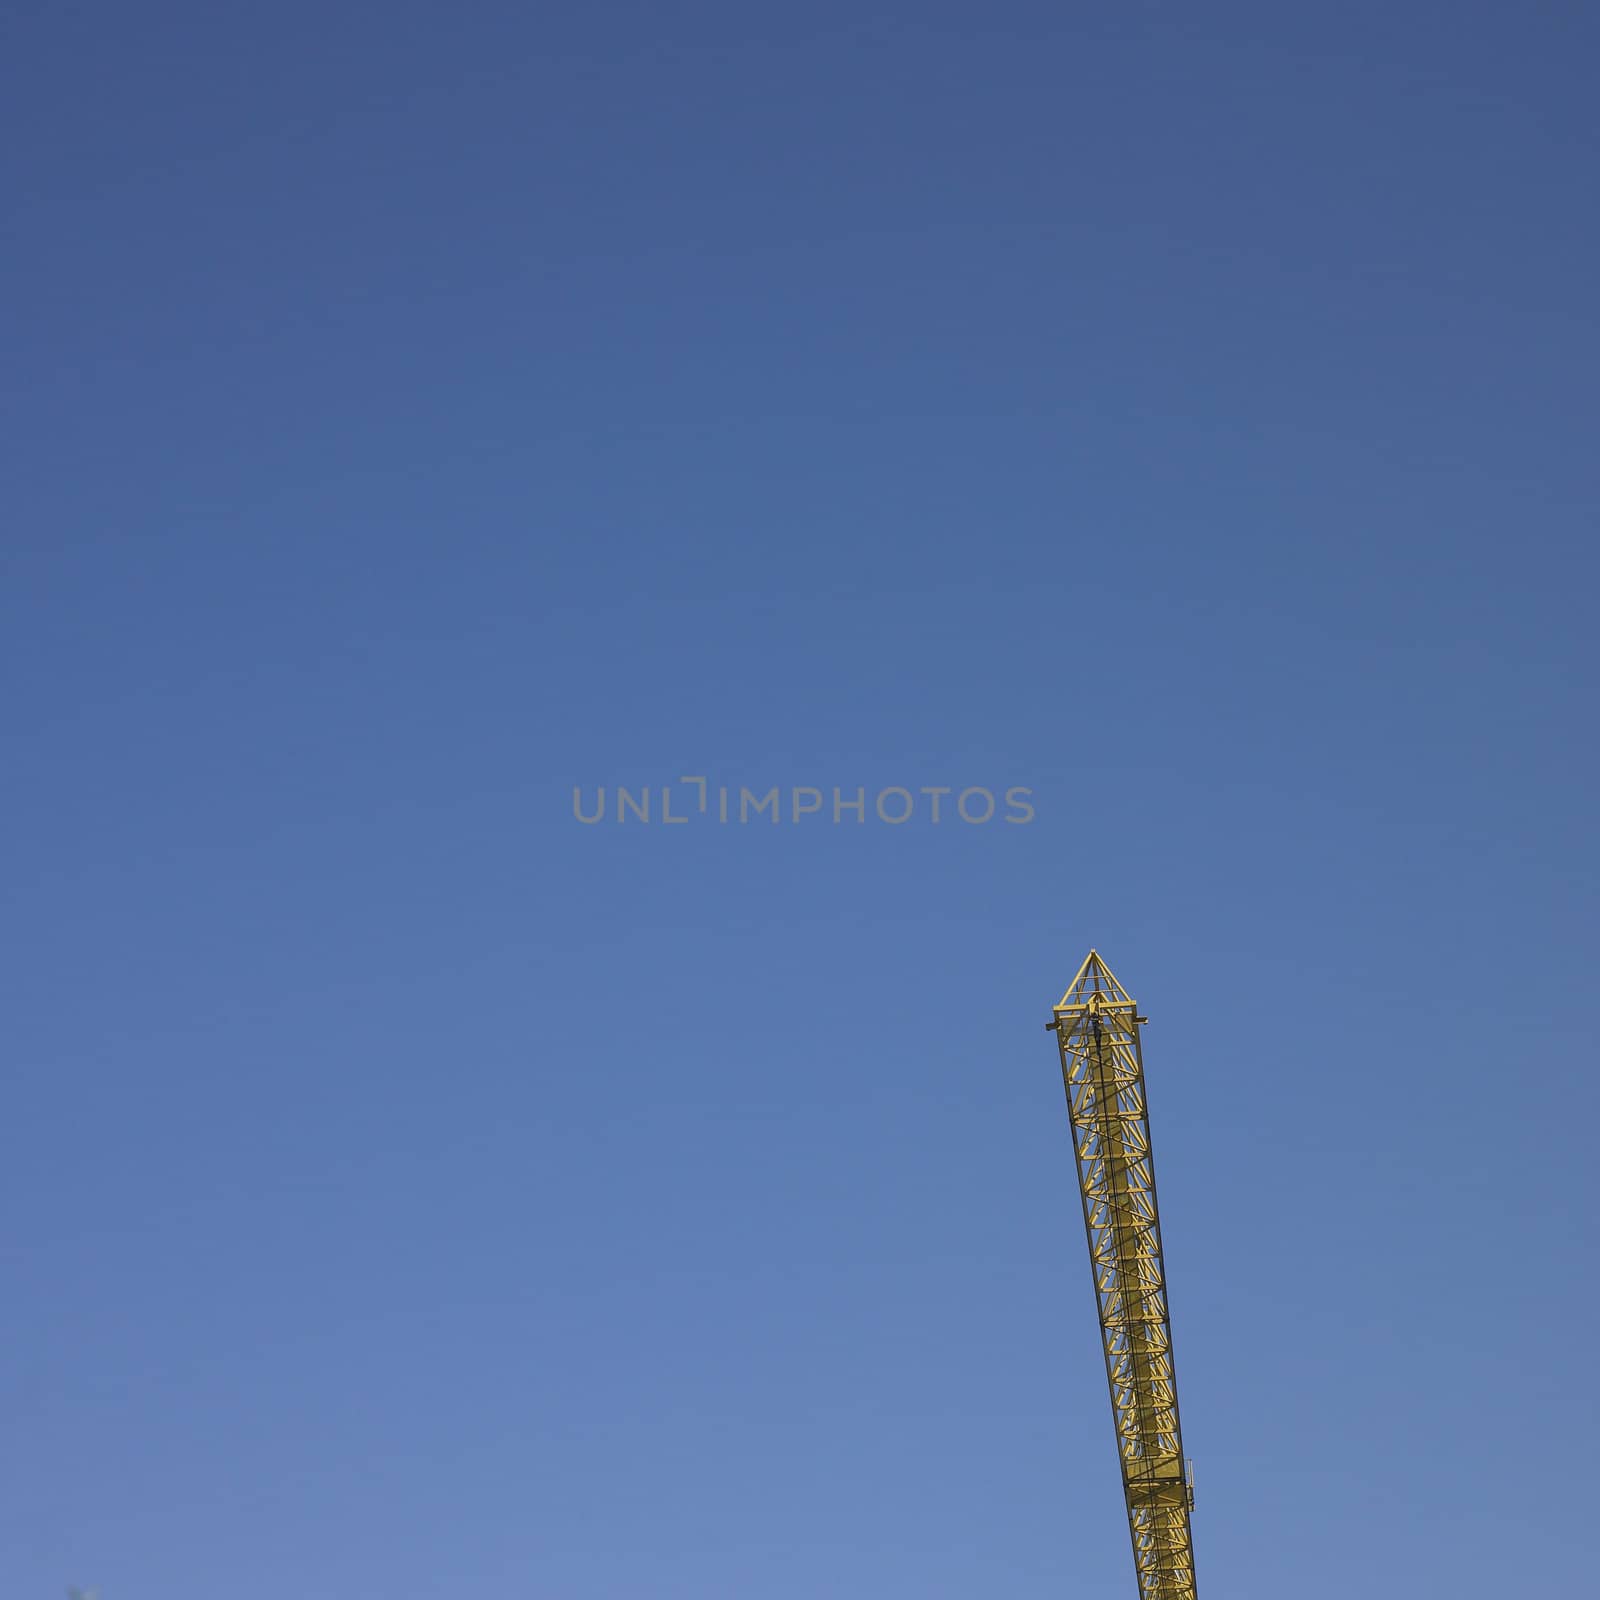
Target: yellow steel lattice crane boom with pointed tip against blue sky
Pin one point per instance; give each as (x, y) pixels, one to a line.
(1097, 1025)
